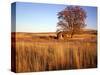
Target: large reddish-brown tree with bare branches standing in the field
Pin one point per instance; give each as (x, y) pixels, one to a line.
(71, 19)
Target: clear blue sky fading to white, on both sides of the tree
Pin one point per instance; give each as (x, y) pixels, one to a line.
(39, 17)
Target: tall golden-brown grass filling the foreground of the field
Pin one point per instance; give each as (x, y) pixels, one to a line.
(55, 55)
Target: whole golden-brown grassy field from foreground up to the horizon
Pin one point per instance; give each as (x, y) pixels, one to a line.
(43, 52)
